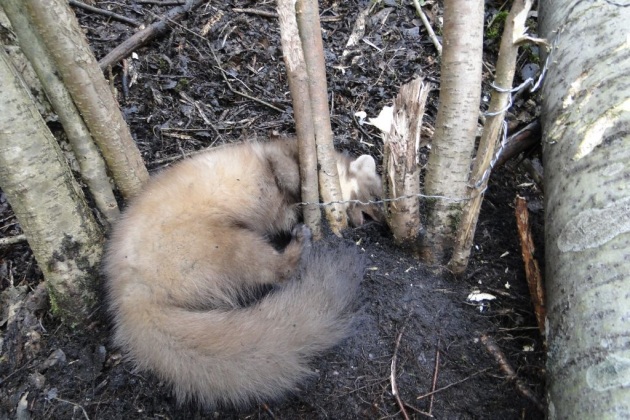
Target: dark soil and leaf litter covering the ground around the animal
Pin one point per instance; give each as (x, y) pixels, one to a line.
(177, 102)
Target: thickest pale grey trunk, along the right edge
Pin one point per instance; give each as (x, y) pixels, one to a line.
(586, 141)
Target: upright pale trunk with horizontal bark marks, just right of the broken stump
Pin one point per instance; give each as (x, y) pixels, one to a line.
(460, 93)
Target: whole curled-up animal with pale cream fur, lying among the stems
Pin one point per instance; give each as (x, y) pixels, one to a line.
(199, 296)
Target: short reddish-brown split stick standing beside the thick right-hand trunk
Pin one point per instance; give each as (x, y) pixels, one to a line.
(532, 270)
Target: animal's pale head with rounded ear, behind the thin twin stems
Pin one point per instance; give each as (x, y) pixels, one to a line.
(360, 181)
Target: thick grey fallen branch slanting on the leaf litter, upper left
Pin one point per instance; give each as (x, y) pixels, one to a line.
(142, 37)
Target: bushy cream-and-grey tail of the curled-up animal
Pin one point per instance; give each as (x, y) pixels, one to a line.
(250, 354)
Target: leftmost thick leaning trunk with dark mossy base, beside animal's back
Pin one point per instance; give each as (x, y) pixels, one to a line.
(59, 226)
